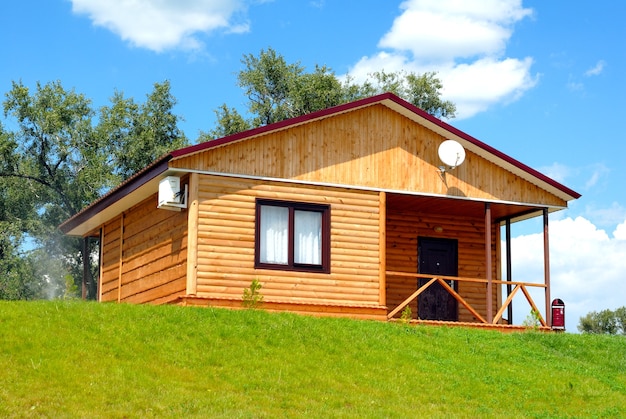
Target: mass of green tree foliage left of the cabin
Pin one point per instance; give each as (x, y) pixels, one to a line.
(56, 159)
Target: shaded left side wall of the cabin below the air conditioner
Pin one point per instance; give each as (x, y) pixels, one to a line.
(144, 255)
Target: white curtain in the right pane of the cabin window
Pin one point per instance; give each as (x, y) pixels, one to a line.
(307, 241)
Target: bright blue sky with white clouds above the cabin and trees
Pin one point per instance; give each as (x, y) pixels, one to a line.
(541, 81)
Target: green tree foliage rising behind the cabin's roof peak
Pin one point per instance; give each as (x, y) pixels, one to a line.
(277, 91)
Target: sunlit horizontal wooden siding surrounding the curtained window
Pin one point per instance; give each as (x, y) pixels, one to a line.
(225, 242)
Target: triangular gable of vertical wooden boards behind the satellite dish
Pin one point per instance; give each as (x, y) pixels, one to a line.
(372, 147)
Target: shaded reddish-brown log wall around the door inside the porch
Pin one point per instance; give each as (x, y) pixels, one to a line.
(403, 230)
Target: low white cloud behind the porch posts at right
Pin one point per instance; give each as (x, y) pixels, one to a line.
(588, 267)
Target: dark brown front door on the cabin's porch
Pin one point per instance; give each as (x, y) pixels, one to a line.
(438, 257)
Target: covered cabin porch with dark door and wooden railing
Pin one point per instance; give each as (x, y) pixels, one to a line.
(478, 289)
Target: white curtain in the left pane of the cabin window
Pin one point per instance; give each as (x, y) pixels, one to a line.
(274, 235)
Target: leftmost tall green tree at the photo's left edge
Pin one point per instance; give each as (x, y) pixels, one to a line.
(53, 163)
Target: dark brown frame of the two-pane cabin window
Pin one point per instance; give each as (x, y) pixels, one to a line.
(293, 206)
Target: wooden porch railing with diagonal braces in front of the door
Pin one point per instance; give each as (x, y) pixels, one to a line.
(442, 281)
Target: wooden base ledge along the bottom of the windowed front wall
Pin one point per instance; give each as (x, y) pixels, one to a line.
(363, 312)
